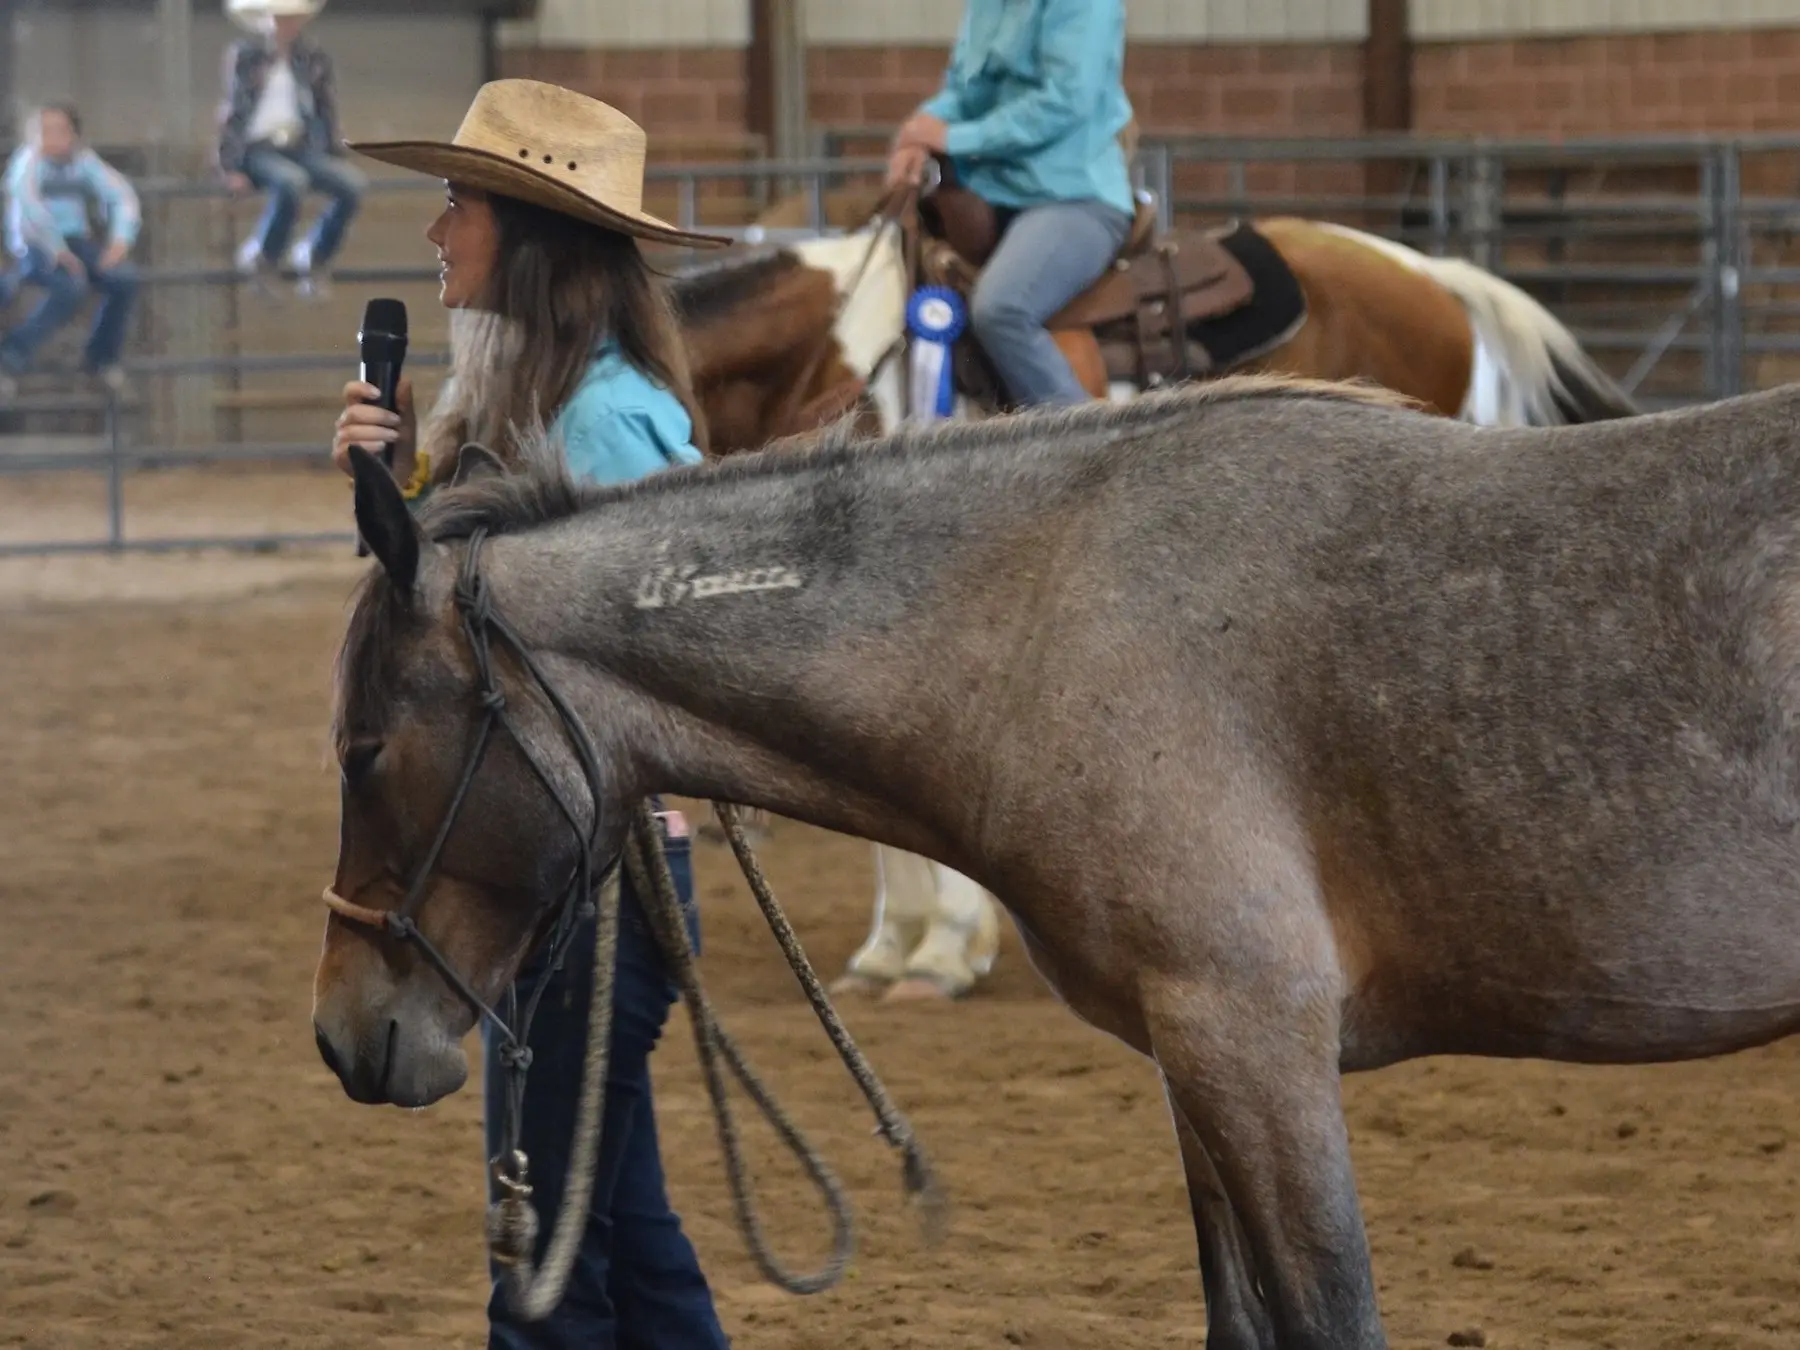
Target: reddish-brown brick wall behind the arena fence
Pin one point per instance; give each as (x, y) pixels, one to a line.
(692, 100)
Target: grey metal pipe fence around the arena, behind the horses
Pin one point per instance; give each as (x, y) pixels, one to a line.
(1684, 282)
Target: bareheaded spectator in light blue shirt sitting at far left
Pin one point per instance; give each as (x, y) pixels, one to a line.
(53, 186)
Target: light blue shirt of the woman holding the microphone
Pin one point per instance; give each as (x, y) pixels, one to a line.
(620, 424)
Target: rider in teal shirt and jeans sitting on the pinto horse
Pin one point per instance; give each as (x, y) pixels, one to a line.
(1030, 118)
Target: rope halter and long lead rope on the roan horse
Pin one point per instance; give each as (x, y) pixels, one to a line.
(512, 1221)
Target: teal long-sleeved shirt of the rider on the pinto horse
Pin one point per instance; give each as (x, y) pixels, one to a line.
(1036, 102)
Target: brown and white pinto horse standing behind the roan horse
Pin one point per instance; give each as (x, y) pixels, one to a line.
(1453, 337)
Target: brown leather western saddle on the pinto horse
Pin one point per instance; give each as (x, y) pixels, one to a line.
(1138, 312)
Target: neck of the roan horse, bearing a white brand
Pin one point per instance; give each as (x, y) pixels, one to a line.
(816, 640)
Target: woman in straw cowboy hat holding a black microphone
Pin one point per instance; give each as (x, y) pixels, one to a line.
(555, 310)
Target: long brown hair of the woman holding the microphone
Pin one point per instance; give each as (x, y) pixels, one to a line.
(561, 287)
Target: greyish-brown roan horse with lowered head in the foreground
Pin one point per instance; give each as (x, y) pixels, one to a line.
(1464, 742)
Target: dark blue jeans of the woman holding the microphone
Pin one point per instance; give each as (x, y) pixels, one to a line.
(636, 1281)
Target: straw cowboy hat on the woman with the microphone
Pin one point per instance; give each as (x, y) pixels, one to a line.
(550, 147)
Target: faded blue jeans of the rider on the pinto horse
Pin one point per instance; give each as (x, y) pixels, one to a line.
(1047, 258)
